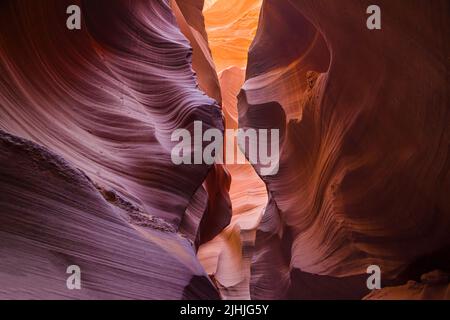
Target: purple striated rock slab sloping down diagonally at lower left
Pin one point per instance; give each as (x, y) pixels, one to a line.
(53, 217)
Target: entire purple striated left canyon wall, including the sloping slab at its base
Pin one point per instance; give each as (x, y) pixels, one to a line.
(106, 99)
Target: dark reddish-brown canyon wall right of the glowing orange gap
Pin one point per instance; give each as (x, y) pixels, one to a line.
(364, 169)
